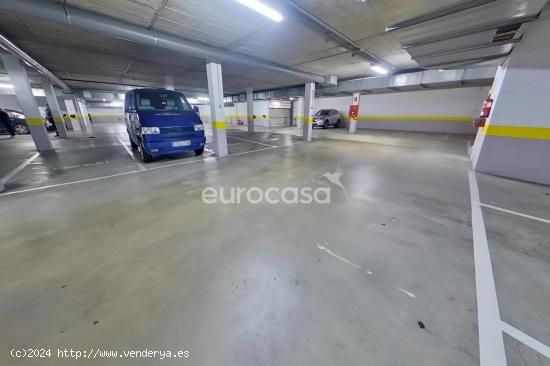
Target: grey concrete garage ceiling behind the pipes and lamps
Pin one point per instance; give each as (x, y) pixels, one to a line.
(87, 60)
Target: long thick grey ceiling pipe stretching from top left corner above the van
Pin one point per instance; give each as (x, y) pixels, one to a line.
(93, 22)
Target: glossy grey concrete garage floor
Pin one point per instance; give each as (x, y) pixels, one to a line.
(96, 253)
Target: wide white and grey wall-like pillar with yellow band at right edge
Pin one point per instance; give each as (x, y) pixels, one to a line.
(515, 141)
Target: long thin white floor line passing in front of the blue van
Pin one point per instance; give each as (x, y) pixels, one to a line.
(207, 159)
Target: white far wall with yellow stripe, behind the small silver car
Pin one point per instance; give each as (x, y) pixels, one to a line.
(444, 110)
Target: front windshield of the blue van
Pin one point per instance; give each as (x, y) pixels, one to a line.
(161, 101)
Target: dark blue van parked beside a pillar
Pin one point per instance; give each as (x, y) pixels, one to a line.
(162, 122)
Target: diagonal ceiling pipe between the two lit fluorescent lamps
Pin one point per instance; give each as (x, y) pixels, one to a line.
(341, 39)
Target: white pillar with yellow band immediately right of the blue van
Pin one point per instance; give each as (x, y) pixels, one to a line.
(217, 112)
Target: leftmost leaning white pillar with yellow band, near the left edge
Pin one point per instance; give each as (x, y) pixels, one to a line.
(23, 92)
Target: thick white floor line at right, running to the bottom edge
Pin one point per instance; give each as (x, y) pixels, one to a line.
(491, 344)
